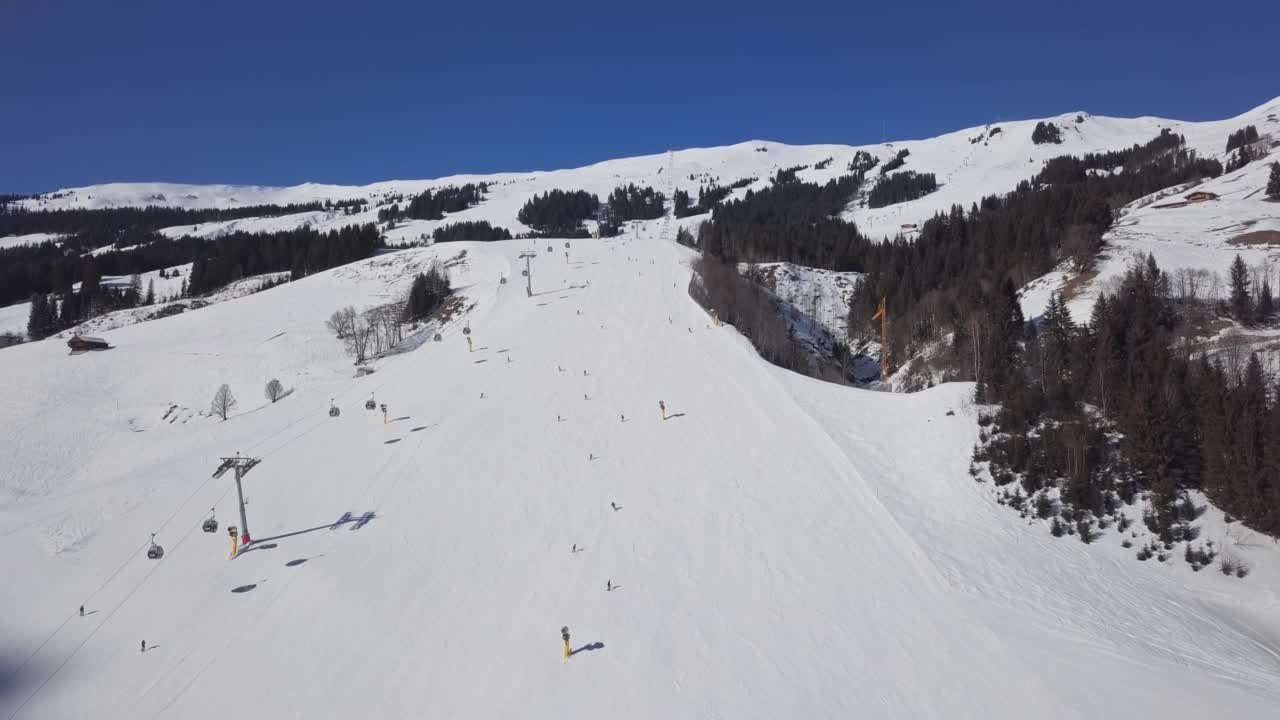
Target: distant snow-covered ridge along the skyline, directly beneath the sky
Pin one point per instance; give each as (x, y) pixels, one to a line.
(970, 165)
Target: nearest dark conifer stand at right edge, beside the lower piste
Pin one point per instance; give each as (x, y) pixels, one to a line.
(1119, 407)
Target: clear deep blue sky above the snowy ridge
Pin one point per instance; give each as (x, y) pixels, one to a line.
(358, 92)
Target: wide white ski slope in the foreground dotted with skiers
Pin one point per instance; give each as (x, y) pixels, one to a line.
(781, 548)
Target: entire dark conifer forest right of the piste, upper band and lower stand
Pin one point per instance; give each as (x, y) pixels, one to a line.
(1104, 407)
